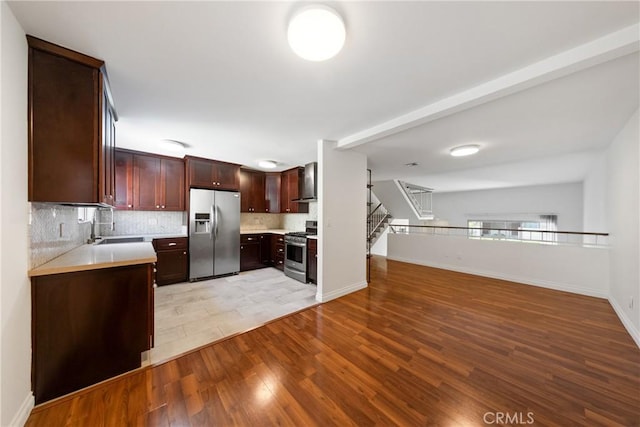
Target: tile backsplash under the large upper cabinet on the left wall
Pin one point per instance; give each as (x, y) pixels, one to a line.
(53, 231)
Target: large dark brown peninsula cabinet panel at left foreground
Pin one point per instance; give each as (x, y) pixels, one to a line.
(88, 326)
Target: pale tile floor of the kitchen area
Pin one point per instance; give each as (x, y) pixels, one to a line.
(190, 315)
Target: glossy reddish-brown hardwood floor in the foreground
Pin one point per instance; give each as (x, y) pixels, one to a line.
(420, 346)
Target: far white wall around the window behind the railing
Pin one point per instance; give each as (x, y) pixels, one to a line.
(565, 200)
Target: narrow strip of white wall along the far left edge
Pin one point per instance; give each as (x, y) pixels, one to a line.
(16, 399)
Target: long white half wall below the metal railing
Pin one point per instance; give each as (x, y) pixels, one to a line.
(576, 269)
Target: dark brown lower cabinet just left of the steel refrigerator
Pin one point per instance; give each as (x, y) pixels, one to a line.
(173, 260)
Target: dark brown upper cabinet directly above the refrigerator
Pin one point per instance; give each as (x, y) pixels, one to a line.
(212, 174)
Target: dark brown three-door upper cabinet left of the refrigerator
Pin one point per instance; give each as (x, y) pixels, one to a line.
(149, 182)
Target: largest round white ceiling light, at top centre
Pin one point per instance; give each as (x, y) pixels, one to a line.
(316, 33)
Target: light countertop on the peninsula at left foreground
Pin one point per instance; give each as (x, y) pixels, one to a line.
(93, 257)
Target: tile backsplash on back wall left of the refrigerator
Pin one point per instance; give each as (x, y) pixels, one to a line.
(127, 223)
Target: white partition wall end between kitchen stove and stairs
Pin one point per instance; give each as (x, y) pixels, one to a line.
(342, 215)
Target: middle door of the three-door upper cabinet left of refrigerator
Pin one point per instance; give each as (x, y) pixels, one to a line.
(146, 182)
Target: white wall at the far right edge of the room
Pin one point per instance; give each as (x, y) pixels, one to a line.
(623, 213)
